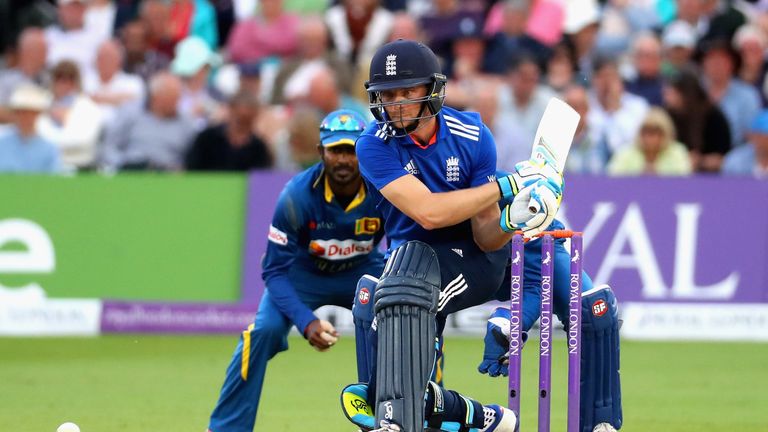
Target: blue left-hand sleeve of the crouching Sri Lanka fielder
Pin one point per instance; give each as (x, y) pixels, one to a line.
(282, 247)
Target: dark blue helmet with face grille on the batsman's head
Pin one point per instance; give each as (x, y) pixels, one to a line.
(405, 64)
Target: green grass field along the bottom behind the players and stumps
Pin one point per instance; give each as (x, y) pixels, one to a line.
(170, 383)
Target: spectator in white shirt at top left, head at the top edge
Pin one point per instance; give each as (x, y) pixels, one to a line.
(70, 39)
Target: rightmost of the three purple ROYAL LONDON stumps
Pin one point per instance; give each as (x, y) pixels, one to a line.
(574, 334)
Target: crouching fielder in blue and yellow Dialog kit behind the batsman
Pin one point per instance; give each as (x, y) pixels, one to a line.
(323, 238)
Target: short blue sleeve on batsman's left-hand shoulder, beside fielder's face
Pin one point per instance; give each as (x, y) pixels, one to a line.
(379, 163)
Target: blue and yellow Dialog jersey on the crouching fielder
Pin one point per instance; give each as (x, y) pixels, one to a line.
(311, 235)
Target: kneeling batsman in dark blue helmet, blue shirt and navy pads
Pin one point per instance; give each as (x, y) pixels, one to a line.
(431, 170)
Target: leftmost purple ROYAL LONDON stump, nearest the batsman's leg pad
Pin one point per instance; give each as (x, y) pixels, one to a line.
(516, 323)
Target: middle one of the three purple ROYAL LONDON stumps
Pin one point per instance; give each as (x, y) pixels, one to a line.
(545, 322)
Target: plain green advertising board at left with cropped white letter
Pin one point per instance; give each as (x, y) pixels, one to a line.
(132, 236)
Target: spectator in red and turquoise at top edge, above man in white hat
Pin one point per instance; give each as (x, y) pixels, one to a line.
(193, 18)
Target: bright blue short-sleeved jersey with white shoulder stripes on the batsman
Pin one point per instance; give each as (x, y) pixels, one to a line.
(462, 154)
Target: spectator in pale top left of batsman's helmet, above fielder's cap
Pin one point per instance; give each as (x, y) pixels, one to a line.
(293, 77)
